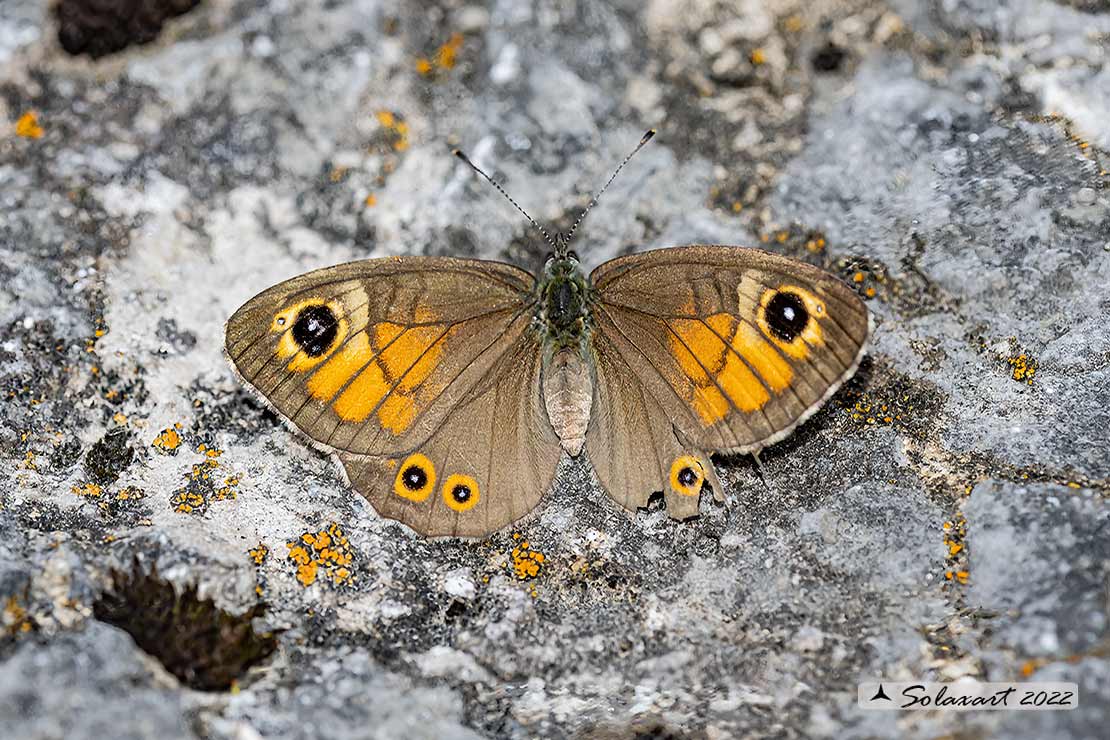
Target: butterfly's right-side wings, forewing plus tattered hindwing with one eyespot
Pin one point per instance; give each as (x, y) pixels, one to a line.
(705, 350)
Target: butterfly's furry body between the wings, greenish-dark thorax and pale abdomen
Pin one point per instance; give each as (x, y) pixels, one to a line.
(563, 315)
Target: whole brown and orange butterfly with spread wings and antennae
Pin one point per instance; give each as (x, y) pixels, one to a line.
(449, 389)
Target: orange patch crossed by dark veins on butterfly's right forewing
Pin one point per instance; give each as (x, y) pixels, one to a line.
(740, 374)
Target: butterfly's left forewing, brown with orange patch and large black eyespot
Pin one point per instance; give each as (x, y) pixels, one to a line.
(372, 357)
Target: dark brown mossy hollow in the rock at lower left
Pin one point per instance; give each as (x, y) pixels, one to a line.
(206, 647)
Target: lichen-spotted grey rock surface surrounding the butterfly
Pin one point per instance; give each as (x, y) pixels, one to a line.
(944, 516)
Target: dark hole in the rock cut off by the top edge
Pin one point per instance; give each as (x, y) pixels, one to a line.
(104, 27)
